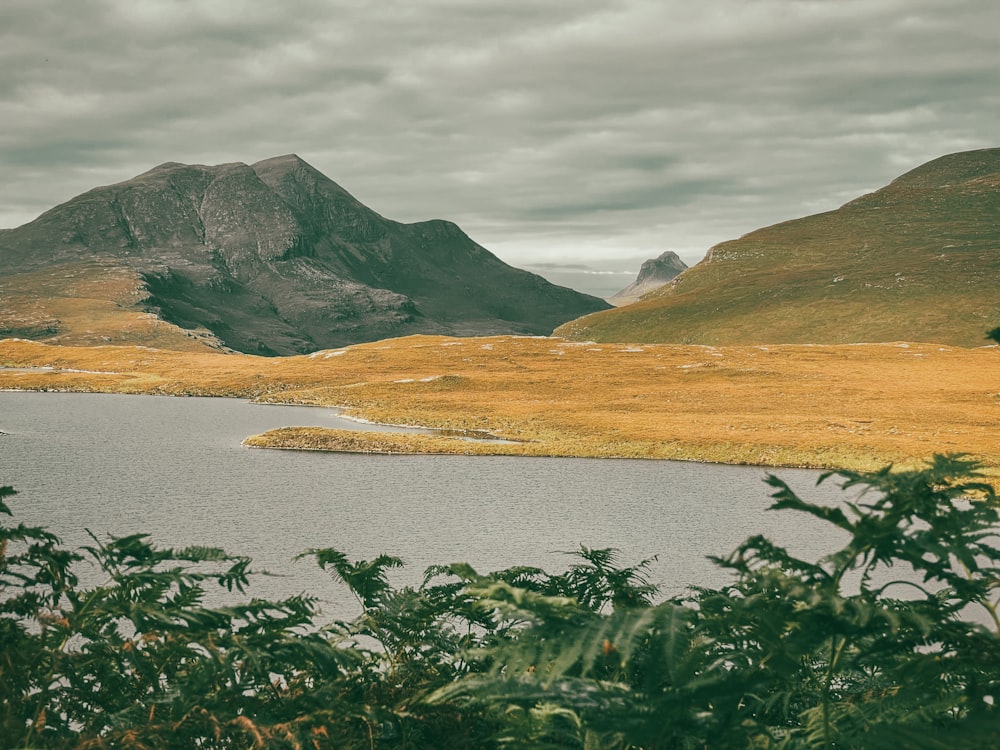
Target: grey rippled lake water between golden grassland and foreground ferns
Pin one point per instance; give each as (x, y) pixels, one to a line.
(175, 468)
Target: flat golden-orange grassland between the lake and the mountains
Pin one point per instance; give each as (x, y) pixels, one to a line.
(842, 406)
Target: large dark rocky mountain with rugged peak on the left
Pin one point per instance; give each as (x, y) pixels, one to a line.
(269, 258)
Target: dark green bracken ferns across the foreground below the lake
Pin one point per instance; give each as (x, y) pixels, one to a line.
(891, 641)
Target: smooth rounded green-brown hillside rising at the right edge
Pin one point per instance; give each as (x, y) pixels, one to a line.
(918, 260)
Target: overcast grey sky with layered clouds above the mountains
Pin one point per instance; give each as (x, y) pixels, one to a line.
(573, 138)
